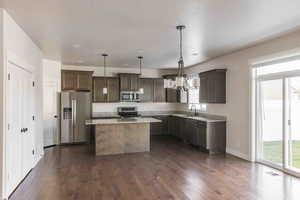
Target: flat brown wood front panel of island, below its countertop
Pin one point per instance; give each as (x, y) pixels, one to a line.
(122, 138)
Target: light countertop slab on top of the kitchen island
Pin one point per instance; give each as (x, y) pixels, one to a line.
(121, 121)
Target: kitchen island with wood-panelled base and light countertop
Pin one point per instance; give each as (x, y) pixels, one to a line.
(119, 136)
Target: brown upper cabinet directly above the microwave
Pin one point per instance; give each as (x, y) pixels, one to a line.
(129, 82)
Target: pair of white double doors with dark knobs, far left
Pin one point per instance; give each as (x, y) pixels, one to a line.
(19, 138)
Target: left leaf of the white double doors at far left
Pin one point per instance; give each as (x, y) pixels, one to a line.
(13, 136)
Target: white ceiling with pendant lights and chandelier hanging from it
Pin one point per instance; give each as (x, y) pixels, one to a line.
(127, 28)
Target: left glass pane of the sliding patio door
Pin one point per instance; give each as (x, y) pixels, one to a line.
(271, 121)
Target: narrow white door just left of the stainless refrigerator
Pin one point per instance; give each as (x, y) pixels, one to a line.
(50, 114)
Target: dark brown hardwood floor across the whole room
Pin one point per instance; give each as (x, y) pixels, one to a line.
(172, 170)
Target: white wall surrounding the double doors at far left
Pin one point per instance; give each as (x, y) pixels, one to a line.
(16, 41)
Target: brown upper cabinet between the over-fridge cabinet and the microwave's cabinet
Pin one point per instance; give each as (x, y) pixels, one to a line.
(113, 91)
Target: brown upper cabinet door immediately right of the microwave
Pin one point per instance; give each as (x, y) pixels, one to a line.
(148, 85)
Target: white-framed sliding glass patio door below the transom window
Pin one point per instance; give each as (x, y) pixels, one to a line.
(278, 120)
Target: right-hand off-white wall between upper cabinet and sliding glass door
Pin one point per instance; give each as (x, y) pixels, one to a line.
(238, 105)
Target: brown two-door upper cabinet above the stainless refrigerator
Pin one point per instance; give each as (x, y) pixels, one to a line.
(76, 80)
